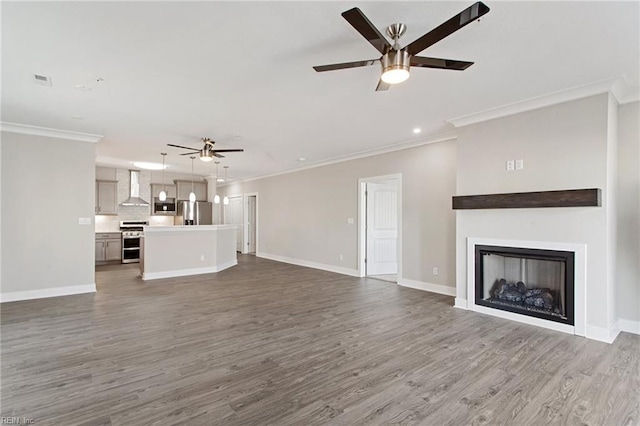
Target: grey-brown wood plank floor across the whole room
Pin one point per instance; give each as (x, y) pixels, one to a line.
(271, 343)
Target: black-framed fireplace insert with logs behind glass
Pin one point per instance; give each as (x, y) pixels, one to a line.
(534, 282)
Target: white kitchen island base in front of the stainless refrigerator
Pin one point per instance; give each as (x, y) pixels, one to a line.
(176, 251)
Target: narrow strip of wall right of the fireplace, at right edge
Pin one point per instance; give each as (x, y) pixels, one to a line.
(628, 253)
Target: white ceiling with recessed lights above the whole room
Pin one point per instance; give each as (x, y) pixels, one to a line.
(241, 73)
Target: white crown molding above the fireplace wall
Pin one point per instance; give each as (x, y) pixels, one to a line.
(618, 87)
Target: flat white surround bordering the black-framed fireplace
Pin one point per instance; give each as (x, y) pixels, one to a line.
(580, 281)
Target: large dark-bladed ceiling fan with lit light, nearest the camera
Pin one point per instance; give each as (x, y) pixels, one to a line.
(395, 60)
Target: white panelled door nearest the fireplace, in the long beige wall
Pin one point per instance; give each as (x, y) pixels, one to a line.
(382, 228)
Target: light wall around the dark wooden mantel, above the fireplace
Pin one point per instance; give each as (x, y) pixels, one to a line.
(564, 147)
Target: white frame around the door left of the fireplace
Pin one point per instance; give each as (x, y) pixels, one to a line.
(362, 220)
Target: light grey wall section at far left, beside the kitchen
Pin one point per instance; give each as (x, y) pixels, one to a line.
(47, 185)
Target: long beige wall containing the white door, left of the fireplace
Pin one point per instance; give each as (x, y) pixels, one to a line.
(303, 215)
